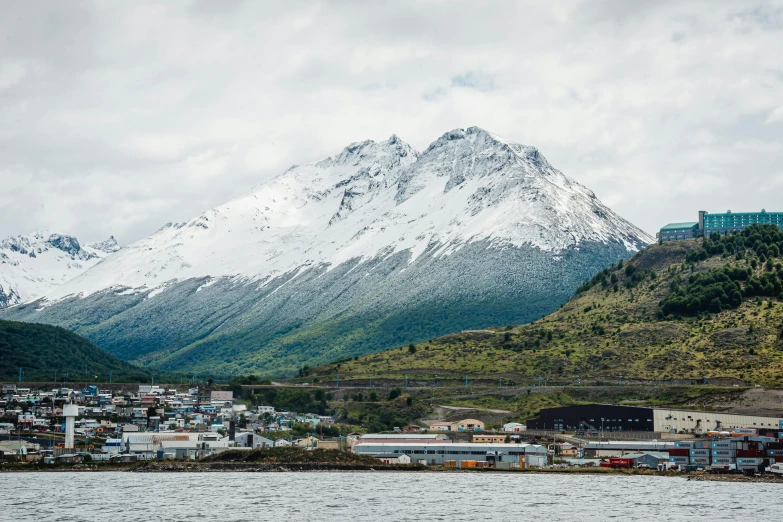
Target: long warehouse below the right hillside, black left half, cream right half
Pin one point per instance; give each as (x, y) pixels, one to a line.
(612, 418)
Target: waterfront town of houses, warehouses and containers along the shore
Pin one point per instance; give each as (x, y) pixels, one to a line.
(63, 426)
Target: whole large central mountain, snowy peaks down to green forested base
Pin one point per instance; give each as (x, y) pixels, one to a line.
(377, 246)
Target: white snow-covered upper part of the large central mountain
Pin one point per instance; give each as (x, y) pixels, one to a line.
(372, 199)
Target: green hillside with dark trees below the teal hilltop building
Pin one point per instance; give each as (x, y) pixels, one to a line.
(674, 311)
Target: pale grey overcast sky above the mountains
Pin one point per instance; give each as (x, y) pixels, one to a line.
(117, 117)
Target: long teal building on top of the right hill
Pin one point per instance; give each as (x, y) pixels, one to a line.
(722, 223)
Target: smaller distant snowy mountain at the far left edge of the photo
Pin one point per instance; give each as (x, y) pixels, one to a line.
(33, 265)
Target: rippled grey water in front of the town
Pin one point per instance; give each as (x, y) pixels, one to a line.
(377, 496)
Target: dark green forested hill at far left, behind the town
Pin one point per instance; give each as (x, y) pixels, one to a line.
(41, 350)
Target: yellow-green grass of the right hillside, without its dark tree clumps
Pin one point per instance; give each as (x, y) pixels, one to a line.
(601, 334)
